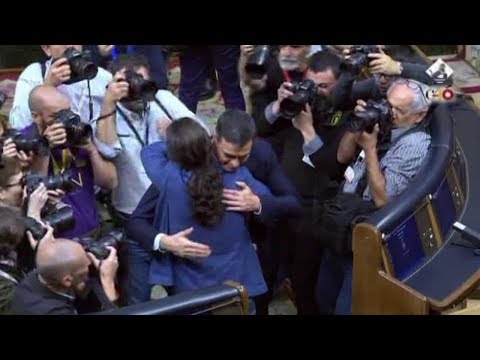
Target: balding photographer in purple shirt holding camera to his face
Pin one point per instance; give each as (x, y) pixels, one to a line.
(71, 149)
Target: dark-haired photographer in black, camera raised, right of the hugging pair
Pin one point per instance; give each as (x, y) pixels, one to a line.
(311, 158)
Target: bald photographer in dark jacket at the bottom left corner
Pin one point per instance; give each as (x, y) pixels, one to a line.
(61, 284)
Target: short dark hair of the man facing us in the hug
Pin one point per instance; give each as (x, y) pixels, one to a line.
(236, 127)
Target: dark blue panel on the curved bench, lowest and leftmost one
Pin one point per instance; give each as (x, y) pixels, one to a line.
(405, 248)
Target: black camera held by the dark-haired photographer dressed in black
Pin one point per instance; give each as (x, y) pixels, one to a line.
(304, 93)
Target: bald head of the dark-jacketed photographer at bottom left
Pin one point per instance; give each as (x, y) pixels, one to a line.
(59, 259)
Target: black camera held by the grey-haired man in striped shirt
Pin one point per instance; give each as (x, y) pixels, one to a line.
(376, 112)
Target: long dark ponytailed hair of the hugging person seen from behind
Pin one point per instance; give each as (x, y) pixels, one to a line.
(190, 146)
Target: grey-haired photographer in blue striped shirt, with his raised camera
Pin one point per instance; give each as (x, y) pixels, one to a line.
(394, 140)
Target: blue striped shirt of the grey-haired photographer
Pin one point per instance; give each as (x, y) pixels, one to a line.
(399, 165)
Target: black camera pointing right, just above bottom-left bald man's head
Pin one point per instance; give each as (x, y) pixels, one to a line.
(61, 221)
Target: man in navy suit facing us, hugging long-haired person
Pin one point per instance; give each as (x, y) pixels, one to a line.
(231, 152)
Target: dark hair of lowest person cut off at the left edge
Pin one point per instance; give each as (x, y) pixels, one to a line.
(12, 229)
